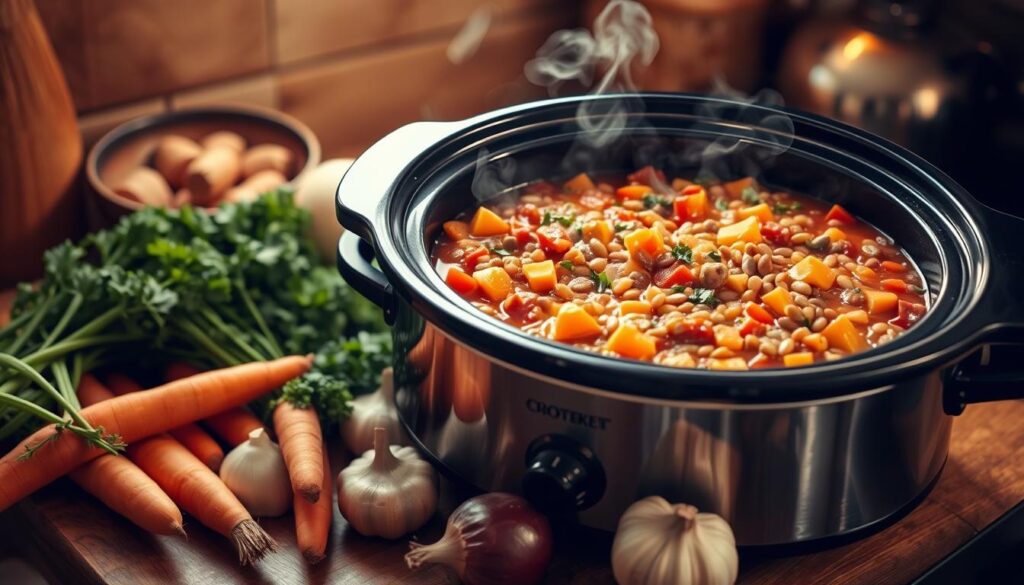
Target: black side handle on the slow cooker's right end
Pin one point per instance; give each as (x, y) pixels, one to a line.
(996, 371)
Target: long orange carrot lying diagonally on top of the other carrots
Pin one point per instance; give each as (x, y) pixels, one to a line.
(55, 453)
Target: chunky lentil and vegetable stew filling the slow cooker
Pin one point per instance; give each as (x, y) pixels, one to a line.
(726, 277)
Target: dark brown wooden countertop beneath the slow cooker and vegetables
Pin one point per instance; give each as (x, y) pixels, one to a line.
(75, 539)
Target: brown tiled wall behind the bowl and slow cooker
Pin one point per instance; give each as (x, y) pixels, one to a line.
(353, 70)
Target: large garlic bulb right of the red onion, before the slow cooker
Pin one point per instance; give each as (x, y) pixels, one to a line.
(659, 544)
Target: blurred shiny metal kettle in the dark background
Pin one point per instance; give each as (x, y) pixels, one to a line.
(893, 73)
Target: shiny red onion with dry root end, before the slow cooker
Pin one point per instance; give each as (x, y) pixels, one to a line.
(494, 539)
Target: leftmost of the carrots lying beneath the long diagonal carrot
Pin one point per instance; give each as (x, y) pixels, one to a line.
(121, 485)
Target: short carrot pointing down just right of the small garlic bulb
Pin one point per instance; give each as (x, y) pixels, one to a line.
(302, 444)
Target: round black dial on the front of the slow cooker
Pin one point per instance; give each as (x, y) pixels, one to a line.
(563, 476)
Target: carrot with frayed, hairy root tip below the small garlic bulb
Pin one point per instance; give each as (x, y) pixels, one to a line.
(196, 488)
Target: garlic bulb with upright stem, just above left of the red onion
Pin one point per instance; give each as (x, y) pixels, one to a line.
(389, 492)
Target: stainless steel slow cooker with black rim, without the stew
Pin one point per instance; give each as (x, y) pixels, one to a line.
(787, 455)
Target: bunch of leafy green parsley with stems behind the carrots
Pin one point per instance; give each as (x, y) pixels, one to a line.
(237, 285)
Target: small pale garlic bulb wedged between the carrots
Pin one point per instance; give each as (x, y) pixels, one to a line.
(255, 473)
